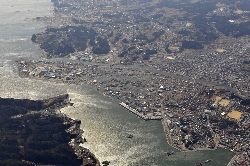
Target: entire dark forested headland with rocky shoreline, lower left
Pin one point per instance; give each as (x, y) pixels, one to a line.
(31, 136)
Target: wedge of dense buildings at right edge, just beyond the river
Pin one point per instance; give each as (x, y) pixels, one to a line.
(227, 68)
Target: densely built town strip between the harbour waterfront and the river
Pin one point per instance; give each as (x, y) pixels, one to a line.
(194, 116)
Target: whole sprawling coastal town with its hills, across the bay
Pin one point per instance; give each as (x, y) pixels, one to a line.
(184, 63)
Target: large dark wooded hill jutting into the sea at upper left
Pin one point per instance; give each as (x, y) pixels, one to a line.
(65, 40)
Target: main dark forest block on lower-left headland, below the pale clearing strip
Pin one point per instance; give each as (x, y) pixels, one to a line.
(34, 138)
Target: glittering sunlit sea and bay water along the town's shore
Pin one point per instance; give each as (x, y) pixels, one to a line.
(105, 123)
